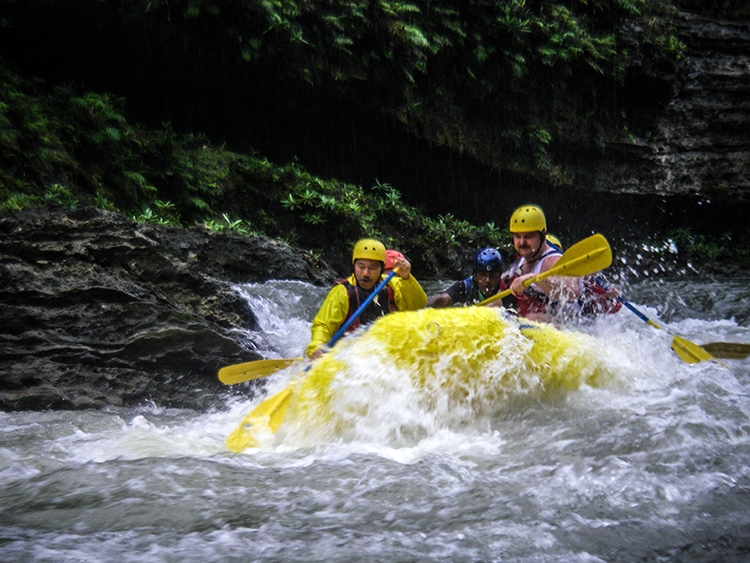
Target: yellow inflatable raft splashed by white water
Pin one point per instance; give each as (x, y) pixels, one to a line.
(461, 362)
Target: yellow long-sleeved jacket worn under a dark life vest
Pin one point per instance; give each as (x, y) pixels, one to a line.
(408, 295)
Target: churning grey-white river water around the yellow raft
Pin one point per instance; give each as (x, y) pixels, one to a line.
(653, 465)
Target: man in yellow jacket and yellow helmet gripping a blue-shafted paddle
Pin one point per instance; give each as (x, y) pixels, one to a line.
(402, 293)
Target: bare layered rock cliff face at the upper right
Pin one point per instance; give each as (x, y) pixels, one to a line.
(699, 143)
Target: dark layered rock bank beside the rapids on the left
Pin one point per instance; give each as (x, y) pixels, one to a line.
(97, 310)
